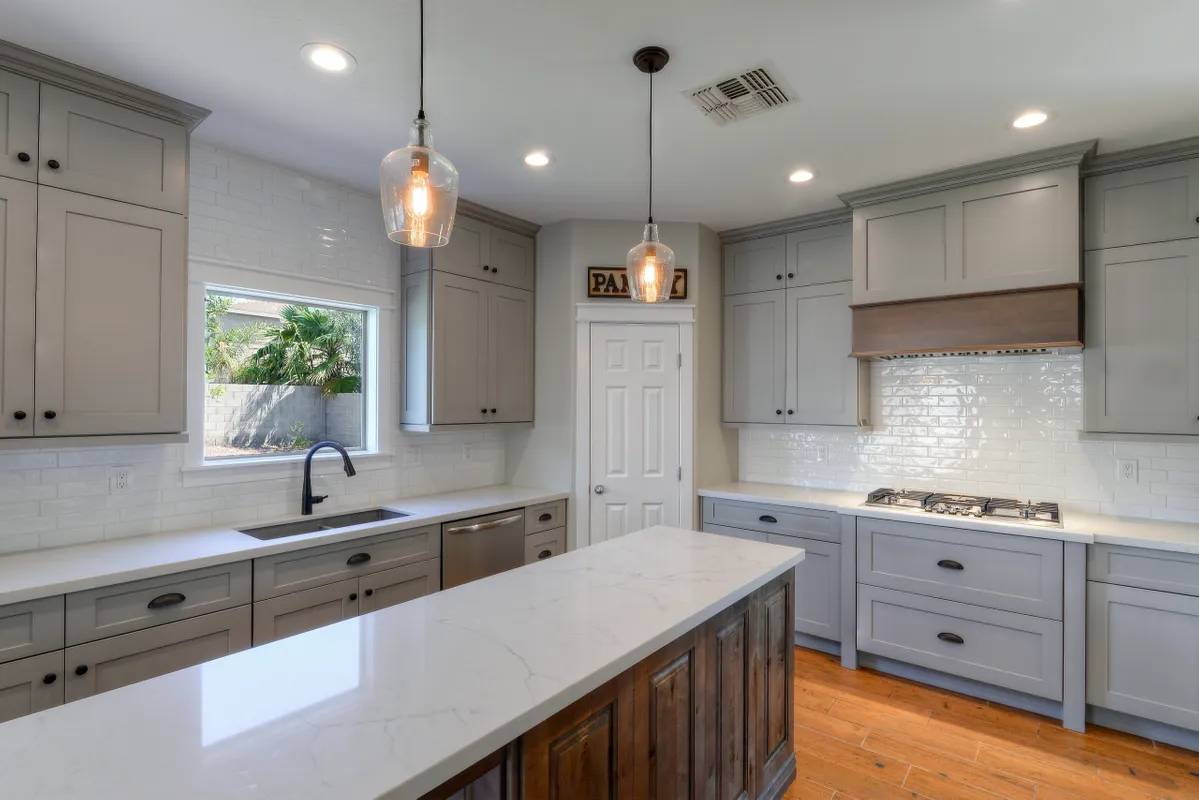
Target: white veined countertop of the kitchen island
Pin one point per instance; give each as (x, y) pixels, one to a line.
(393, 703)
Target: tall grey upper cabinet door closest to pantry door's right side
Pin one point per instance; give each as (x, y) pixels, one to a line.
(756, 357)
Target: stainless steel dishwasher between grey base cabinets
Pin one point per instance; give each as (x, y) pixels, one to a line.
(481, 546)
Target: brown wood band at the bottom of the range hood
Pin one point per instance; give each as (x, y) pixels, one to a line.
(1020, 320)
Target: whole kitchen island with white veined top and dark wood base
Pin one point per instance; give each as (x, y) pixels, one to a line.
(659, 659)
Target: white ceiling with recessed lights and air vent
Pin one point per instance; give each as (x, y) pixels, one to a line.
(887, 89)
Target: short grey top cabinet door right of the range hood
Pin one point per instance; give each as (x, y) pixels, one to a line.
(1146, 206)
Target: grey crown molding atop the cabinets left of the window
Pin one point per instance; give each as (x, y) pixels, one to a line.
(50, 70)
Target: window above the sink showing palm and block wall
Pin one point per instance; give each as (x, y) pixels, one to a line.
(285, 372)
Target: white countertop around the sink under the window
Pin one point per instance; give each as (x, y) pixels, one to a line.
(56, 572)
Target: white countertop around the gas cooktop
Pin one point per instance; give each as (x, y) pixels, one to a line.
(1077, 526)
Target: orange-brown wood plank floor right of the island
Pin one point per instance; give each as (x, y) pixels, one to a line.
(863, 736)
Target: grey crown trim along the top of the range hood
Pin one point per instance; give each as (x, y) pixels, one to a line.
(1070, 155)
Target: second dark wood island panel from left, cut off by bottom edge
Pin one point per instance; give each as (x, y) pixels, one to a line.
(585, 753)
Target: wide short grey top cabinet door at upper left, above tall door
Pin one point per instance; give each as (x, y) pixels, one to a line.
(112, 152)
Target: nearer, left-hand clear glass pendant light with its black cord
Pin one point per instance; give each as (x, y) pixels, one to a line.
(418, 185)
